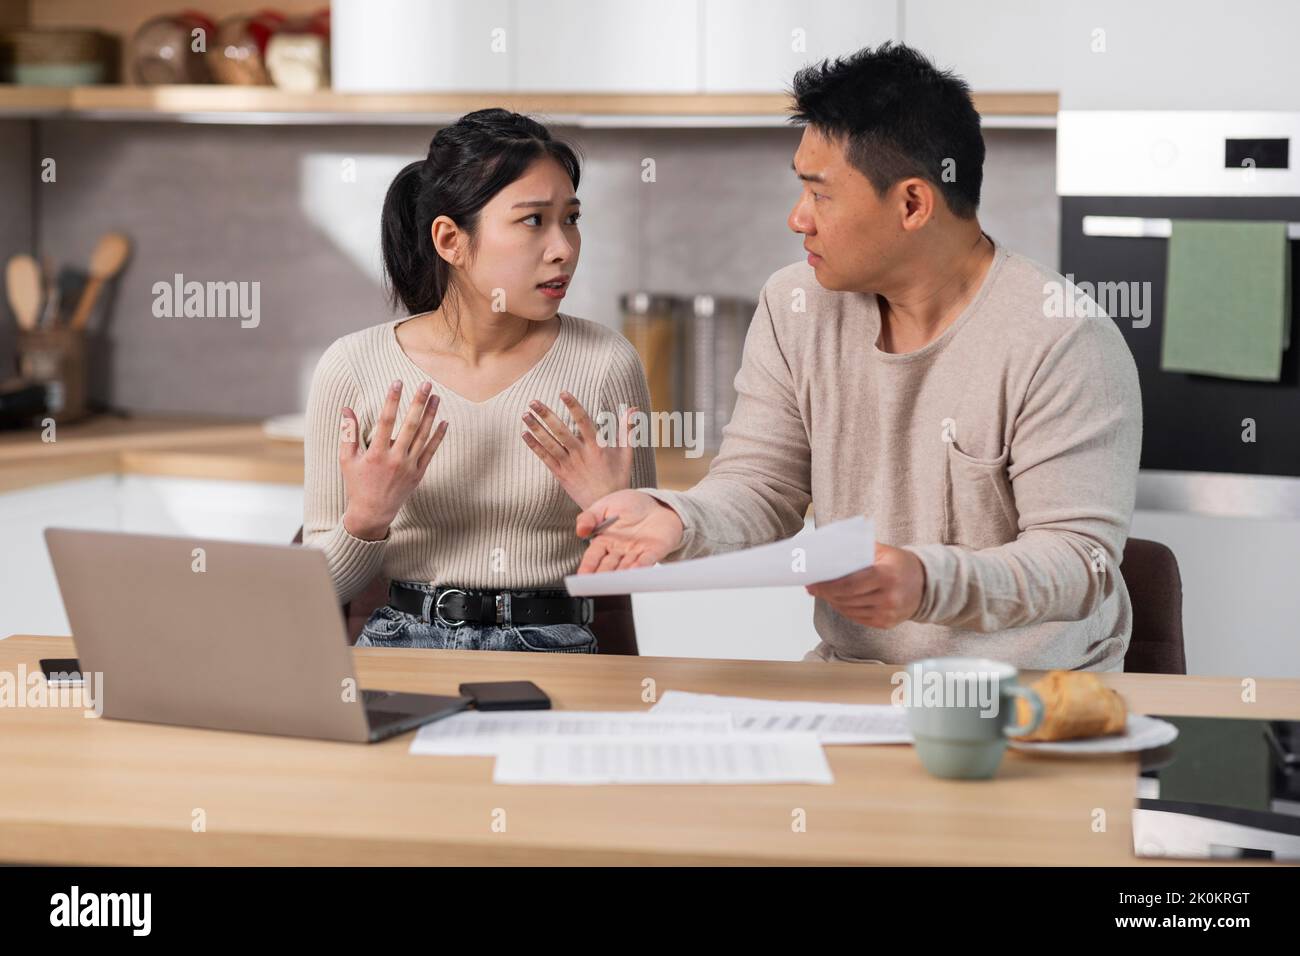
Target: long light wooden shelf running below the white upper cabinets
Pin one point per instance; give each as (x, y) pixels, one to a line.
(254, 105)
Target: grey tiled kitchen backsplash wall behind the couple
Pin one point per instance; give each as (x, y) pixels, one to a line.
(280, 206)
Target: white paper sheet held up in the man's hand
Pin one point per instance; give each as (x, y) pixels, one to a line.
(822, 555)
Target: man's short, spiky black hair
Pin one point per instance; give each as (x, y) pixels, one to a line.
(899, 116)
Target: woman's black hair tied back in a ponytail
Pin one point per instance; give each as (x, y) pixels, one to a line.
(469, 163)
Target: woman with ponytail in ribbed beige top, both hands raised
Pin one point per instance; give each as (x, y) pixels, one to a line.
(473, 521)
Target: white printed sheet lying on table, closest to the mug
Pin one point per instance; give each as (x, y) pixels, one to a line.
(833, 724)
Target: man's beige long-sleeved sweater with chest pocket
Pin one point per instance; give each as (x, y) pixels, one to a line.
(1004, 455)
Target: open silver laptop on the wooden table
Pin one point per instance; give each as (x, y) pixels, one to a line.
(223, 635)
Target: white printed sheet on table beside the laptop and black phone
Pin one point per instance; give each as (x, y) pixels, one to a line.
(474, 733)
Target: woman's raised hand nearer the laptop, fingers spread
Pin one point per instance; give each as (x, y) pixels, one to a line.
(380, 479)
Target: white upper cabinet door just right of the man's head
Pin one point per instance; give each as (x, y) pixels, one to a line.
(998, 46)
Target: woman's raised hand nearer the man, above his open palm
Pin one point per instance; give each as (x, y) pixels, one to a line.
(586, 470)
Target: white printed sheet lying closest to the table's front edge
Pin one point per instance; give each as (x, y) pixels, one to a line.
(681, 759)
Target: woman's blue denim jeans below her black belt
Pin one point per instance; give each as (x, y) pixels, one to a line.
(388, 628)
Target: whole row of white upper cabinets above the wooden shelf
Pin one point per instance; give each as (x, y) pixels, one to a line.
(713, 49)
